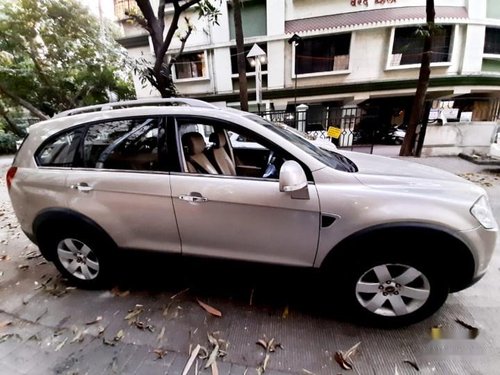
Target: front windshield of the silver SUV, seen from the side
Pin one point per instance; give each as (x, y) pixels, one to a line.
(330, 158)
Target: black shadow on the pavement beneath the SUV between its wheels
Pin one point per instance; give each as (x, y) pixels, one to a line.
(259, 285)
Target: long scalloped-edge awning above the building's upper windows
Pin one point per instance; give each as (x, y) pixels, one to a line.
(378, 17)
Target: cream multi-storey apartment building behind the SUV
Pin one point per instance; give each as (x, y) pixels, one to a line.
(356, 59)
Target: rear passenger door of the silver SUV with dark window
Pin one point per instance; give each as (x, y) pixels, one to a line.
(121, 183)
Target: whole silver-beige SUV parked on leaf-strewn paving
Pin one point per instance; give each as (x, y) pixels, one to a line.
(392, 237)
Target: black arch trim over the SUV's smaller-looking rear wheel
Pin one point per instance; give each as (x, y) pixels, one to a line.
(54, 220)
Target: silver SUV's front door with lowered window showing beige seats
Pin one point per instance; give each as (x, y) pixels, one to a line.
(242, 217)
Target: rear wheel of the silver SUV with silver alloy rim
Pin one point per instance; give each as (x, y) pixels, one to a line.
(82, 258)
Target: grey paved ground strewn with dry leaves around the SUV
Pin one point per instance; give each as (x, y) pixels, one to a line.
(149, 320)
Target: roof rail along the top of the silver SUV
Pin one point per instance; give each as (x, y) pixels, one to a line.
(138, 103)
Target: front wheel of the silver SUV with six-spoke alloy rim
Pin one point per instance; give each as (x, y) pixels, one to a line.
(392, 291)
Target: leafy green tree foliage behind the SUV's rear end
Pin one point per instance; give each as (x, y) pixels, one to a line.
(56, 55)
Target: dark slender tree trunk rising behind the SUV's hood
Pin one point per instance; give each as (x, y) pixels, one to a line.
(408, 146)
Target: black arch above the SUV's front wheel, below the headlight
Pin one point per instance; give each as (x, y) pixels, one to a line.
(454, 256)
